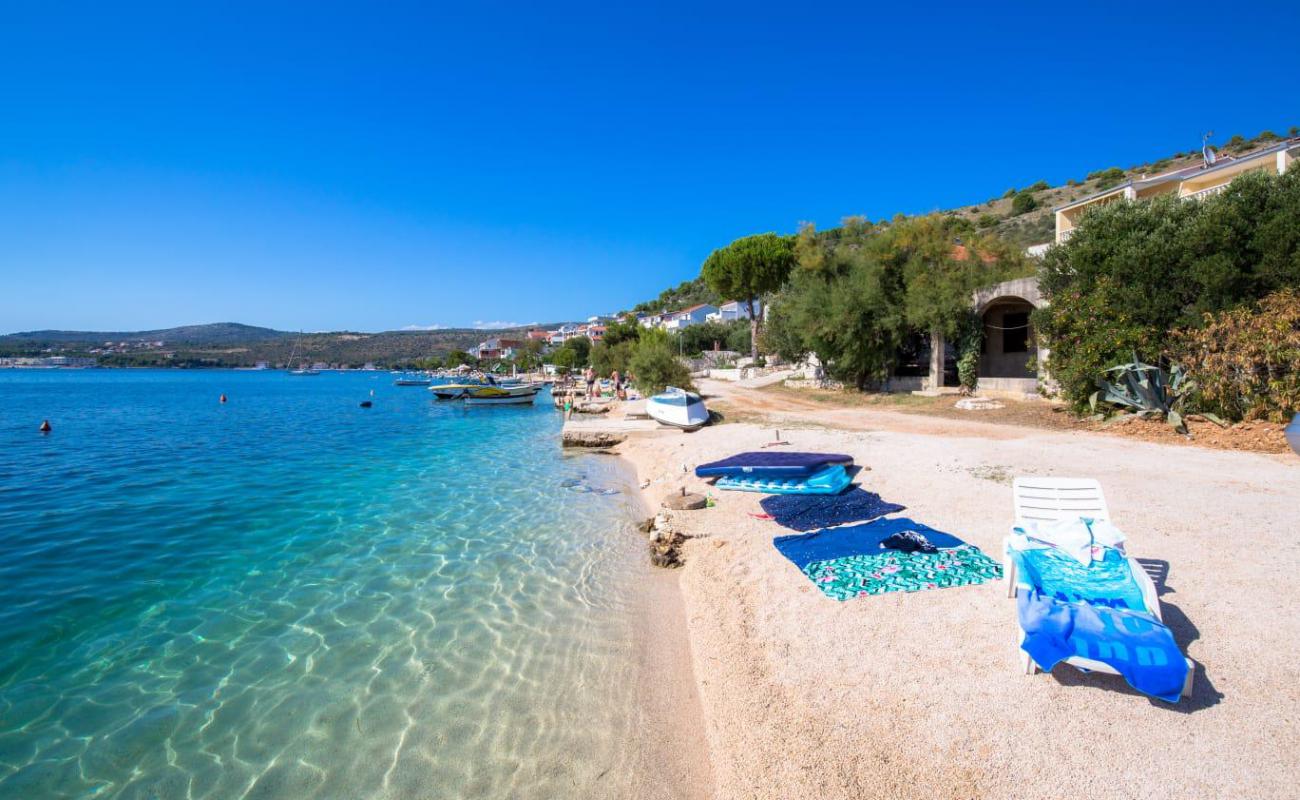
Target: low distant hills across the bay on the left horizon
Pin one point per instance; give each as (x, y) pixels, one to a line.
(236, 345)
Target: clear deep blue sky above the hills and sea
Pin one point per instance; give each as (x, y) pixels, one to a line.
(327, 166)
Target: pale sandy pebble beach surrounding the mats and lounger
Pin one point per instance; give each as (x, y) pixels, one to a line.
(920, 695)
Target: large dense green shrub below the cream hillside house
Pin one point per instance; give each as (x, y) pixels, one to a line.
(1134, 273)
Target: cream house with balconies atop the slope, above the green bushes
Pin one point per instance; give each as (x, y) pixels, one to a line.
(1191, 183)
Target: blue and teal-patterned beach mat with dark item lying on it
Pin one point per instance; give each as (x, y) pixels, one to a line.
(850, 563)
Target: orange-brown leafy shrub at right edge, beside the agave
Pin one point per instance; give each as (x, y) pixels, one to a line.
(1247, 361)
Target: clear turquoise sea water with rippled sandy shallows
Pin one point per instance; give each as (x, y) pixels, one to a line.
(291, 596)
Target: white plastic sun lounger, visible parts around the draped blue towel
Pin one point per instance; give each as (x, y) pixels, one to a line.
(1055, 499)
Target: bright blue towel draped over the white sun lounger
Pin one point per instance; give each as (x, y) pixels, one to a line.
(1134, 643)
